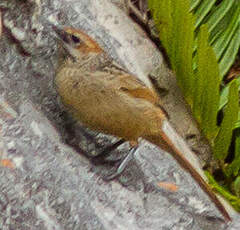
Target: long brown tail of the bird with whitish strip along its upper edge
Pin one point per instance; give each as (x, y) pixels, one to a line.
(171, 142)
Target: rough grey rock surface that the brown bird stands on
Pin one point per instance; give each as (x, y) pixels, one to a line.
(46, 184)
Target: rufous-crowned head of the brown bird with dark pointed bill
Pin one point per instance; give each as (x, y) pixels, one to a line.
(76, 42)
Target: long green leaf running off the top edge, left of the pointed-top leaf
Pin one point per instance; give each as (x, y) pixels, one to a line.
(183, 33)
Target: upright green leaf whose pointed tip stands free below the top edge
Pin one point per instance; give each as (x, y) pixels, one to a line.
(206, 97)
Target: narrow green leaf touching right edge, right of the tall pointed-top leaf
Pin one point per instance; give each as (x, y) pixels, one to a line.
(224, 136)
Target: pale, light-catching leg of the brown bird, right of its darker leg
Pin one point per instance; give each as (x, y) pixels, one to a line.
(123, 164)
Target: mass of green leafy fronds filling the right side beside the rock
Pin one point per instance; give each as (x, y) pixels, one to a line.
(202, 40)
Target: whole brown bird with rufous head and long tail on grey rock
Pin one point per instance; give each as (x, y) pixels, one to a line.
(106, 98)
